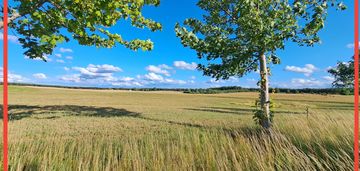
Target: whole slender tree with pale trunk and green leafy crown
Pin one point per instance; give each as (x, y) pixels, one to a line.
(241, 36)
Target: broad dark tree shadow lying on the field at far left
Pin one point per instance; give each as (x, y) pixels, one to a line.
(18, 112)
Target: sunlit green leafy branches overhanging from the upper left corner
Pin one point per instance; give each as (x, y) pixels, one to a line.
(41, 25)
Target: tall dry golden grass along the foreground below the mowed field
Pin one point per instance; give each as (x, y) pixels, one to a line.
(320, 144)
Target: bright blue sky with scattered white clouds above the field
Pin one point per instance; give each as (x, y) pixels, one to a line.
(171, 65)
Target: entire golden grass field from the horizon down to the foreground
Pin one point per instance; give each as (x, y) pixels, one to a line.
(68, 129)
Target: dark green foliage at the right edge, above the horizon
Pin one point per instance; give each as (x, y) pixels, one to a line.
(343, 74)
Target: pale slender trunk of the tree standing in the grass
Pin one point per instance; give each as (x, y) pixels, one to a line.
(264, 93)
